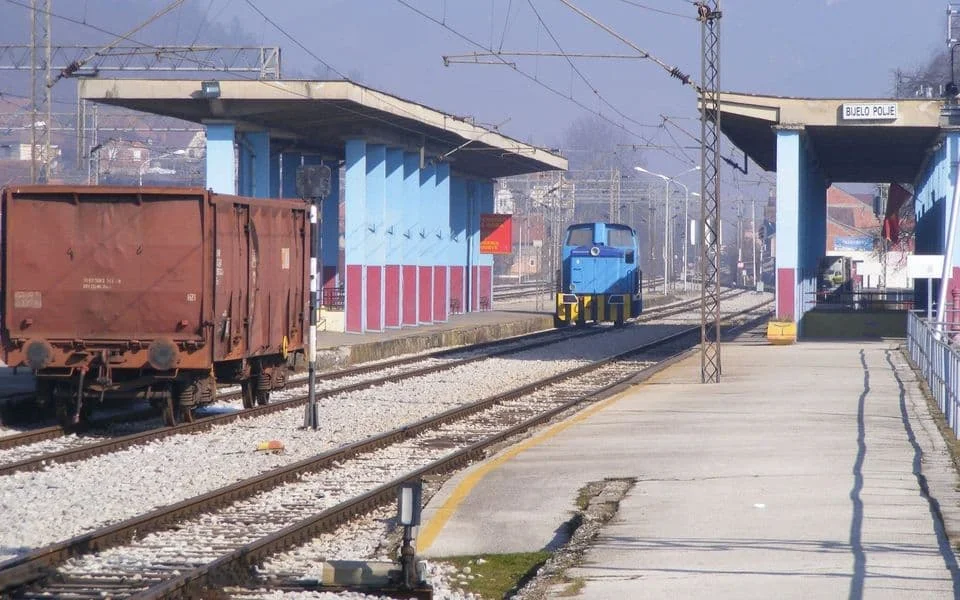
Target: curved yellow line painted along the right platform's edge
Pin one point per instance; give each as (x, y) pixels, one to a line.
(429, 532)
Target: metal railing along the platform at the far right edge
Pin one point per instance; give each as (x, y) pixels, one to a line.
(938, 362)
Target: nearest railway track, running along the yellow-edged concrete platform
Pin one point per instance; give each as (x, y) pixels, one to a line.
(188, 553)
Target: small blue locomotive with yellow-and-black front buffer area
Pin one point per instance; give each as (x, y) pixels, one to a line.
(600, 280)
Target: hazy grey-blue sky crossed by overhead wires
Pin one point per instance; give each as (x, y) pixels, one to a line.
(815, 48)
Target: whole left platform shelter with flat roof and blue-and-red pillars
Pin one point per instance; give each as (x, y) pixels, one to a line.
(406, 214)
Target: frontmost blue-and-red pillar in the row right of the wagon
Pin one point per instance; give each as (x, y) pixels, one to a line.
(355, 198)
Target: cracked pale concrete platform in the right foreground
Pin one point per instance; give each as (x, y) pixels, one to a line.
(802, 475)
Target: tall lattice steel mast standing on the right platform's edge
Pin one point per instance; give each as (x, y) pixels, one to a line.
(708, 13)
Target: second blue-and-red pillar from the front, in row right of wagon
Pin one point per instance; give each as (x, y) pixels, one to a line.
(375, 234)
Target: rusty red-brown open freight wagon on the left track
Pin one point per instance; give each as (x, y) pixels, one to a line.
(151, 293)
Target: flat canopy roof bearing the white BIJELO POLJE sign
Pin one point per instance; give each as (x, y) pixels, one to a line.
(854, 140)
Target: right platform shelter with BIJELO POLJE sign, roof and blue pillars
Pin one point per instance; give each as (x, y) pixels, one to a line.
(814, 142)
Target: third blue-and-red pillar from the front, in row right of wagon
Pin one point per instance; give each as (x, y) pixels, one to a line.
(392, 277)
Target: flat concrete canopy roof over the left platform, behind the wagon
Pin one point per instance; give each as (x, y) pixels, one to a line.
(320, 115)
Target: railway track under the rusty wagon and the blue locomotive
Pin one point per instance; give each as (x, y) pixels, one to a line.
(100, 436)
